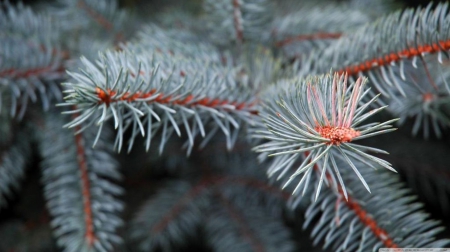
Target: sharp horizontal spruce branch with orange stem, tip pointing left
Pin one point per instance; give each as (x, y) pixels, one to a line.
(151, 92)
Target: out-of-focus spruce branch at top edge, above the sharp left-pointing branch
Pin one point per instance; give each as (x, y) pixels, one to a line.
(92, 26)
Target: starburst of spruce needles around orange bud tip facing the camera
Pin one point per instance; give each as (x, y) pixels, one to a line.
(312, 122)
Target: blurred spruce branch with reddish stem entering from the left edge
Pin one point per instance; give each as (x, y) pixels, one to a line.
(31, 61)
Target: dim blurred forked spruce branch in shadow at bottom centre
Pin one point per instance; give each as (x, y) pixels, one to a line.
(241, 185)
